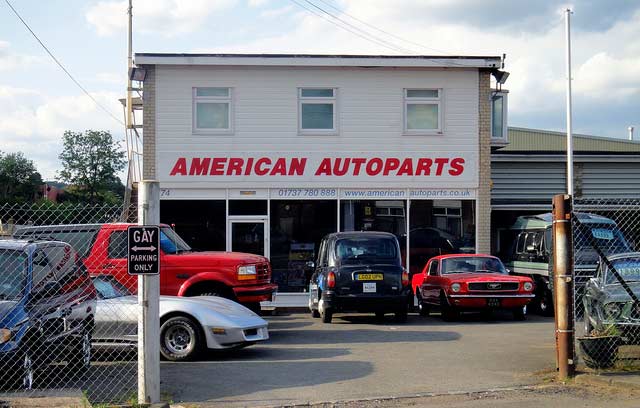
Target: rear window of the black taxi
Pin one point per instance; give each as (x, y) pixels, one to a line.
(366, 249)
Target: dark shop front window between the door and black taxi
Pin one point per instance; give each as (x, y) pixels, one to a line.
(297, 227)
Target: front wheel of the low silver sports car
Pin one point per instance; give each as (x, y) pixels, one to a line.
(180, 339)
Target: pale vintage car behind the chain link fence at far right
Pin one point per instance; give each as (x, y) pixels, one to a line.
(608, 307)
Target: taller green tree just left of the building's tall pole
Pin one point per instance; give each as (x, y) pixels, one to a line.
(90, 162)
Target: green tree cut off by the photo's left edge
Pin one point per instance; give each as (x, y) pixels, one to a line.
(19, 179)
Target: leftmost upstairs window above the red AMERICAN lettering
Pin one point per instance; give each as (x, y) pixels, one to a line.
(212, 109)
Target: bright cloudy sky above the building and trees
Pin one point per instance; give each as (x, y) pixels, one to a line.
(38, 102)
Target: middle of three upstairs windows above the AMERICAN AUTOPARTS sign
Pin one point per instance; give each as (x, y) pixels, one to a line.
(317, 107)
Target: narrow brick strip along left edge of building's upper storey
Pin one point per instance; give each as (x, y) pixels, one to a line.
(149, 125)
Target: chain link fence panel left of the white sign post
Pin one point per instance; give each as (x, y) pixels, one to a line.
(68, 317)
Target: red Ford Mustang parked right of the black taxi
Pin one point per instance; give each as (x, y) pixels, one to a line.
(473, 282)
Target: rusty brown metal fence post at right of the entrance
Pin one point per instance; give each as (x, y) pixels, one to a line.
(563, 285)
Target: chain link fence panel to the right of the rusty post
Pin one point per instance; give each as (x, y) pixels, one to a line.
(606, 241)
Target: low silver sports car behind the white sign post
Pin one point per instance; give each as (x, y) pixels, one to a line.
(188, 325)
